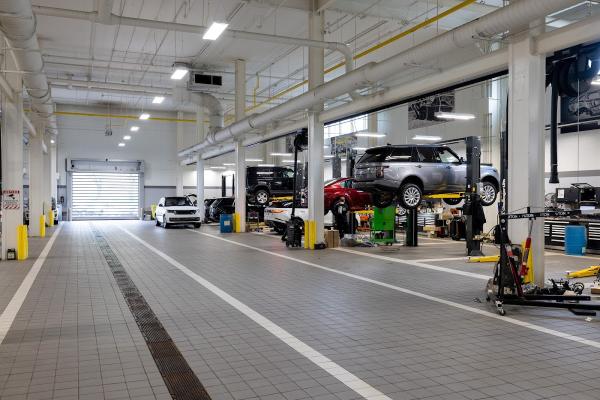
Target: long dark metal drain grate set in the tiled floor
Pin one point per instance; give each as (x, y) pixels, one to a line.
(181, 381)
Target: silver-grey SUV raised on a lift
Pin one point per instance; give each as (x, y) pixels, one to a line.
(407, 172)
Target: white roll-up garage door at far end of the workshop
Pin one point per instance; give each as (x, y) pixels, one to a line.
(102, 195)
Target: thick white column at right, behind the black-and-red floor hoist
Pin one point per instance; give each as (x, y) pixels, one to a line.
(526, 85)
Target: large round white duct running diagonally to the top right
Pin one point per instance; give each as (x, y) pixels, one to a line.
(514, 18)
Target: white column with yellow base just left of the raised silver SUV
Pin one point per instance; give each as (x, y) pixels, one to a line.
(315, 132)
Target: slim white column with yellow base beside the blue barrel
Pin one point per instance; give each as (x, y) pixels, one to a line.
(240, 151)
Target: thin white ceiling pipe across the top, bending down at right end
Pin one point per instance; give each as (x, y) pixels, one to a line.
(93, 16)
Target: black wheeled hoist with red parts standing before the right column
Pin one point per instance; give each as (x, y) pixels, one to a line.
(506, 285)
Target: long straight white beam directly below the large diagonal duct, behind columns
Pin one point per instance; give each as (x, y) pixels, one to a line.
(583, 31)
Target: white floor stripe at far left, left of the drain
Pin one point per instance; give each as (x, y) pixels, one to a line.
(12, 309)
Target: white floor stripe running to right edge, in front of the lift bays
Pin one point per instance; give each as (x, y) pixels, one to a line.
(474, 310)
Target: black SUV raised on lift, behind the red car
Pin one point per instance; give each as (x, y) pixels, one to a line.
(263, 183)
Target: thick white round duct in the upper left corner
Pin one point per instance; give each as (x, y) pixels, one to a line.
(18, 25)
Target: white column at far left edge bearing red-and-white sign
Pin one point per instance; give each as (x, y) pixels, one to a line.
(12, 157)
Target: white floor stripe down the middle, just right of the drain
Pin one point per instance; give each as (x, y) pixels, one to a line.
(341, 374)
